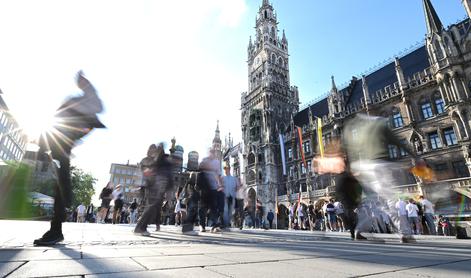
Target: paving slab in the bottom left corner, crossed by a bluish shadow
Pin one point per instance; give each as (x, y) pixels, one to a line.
(75, 267)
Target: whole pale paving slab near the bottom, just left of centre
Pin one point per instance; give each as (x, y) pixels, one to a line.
(167, 262)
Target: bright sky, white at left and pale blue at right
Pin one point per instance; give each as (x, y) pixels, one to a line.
(173, 68)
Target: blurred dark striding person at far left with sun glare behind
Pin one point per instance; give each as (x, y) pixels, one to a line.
(77, 117)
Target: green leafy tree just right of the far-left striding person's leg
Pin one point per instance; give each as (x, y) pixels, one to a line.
(82, 187)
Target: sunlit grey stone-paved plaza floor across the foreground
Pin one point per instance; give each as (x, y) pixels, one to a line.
(105, 250)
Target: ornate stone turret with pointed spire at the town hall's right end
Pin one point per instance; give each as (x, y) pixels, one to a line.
(448, 55)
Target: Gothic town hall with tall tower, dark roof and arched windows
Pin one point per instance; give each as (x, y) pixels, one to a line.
(425, 94)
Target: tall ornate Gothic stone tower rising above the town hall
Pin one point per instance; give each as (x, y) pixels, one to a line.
(266, 107)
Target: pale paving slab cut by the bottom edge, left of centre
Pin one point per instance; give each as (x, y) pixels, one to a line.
(170, 273)
